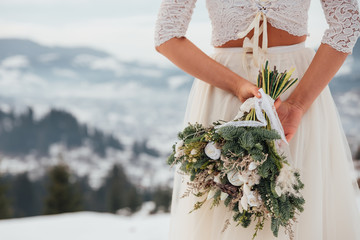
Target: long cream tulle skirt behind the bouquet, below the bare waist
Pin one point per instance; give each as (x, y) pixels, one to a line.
(319, 150)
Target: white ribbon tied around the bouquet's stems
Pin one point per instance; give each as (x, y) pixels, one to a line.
(265, 103)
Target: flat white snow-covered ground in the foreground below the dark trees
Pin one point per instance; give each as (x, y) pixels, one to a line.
(87, 225)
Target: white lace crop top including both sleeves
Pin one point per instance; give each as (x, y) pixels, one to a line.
(232, 19)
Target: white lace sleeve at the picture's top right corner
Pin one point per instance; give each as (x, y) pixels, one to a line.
(344, 24)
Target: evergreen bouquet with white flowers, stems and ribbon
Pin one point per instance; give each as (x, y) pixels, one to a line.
(240, 163)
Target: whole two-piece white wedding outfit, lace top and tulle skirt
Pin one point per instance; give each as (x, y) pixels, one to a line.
(319, 148)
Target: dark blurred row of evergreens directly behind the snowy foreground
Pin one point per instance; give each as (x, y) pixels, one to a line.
(59, 191)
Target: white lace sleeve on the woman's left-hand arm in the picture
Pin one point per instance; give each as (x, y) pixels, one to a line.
(173, 19)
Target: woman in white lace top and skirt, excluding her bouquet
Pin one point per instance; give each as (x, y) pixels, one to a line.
(245, 34)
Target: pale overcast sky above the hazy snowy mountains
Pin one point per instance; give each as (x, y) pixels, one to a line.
(123, 28)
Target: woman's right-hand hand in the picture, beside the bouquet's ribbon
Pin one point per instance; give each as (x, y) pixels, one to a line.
(290, 116)
